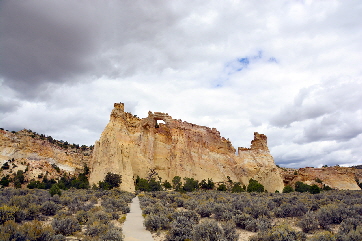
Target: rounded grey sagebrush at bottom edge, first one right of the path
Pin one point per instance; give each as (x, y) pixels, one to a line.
(180, 229)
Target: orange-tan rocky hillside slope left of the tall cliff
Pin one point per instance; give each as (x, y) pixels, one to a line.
(36, 154)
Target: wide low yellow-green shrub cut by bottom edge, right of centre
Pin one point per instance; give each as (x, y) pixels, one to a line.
(279, 233)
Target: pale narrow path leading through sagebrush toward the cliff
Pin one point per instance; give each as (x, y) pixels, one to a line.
(133, 228)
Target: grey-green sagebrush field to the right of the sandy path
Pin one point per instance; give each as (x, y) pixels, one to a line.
(214, 215)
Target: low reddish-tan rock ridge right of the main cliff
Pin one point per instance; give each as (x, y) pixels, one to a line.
(342, 178)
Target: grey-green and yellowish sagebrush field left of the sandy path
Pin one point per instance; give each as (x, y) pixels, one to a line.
(27, 214)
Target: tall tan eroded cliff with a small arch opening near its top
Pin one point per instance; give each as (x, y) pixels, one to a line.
(131, 147)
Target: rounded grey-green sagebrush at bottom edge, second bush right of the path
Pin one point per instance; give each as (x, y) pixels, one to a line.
(209, 230)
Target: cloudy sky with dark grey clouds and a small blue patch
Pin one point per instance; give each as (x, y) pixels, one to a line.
(288, 69)
